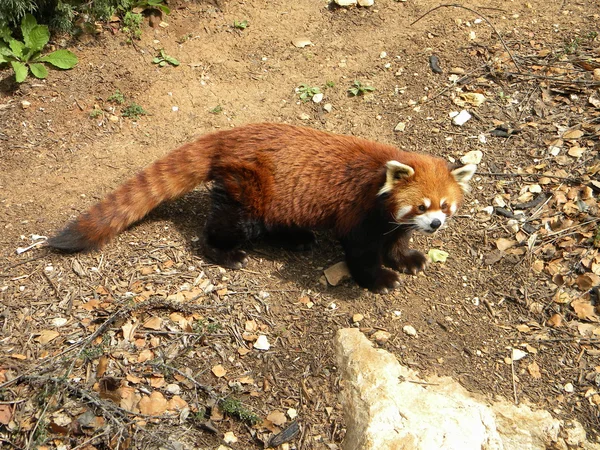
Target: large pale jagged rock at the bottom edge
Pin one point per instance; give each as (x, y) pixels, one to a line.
(388, 407)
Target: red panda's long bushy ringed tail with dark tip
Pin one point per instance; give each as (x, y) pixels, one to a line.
(168, 178)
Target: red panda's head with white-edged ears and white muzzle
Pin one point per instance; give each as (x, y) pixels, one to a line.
(424, 193)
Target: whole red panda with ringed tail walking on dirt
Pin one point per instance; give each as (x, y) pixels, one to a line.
(284, 182)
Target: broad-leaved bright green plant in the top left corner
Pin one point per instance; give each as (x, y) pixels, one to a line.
(25, 56)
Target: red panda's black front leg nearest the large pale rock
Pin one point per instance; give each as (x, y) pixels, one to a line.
(365, 264)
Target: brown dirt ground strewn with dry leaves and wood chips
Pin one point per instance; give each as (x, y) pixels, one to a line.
(95, 347)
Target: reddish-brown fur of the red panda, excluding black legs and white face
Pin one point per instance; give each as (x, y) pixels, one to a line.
(286, 175)
